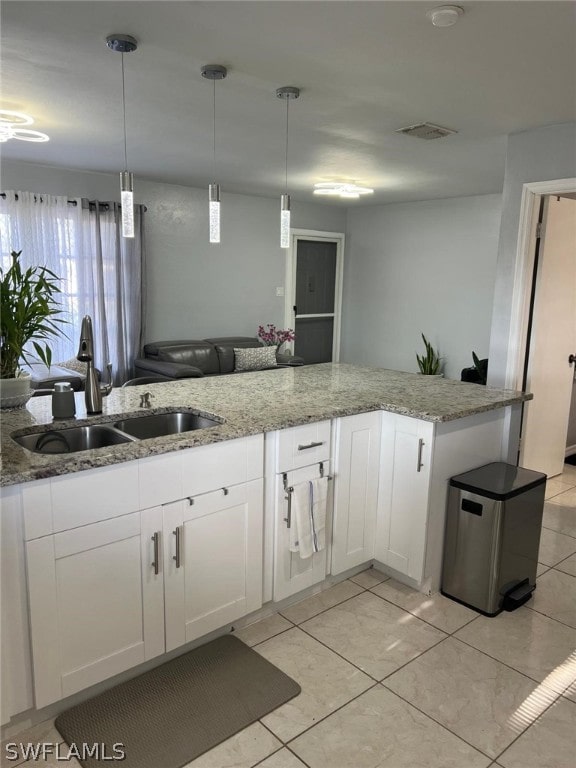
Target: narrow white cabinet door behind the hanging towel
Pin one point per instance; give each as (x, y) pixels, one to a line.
(292, 574)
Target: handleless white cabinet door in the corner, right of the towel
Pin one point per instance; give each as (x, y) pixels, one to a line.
(357, 463)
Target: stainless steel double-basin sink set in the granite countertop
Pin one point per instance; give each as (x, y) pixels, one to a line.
(87, 437)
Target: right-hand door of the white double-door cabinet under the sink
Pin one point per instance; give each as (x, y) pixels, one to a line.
(213, 560)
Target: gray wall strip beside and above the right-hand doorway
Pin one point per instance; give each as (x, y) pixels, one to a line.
(545, 154)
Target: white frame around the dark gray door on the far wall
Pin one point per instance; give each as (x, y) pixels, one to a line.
(290, 279)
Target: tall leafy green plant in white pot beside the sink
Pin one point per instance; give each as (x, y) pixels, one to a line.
(28, 314)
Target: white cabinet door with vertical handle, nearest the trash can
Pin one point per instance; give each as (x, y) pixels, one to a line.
(403, 493)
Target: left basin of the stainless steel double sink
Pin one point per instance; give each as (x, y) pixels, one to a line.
(73, 439)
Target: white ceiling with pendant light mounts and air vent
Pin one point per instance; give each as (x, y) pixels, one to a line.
(364, 69)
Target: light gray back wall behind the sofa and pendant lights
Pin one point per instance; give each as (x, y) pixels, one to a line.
(194, 289)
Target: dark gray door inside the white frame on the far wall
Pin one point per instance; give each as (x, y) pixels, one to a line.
(314, 309)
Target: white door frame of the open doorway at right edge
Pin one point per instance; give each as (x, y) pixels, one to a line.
(523, 274)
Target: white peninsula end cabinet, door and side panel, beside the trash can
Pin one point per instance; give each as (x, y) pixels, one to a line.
(417, 460)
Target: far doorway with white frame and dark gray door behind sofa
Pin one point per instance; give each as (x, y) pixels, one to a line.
(314, 294)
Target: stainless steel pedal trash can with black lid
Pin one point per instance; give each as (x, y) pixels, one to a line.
(493, 524)
